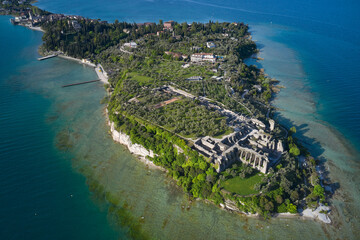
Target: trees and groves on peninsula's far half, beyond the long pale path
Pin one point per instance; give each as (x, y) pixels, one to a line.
(150, 66)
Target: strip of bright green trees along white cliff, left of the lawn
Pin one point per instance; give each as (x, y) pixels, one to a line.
(190, 169)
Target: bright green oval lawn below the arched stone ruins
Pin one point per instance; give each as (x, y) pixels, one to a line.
(242, 186)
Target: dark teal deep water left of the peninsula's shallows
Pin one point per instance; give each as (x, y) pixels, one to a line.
(41, 197)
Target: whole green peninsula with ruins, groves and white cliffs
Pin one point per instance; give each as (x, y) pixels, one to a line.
(181, 95)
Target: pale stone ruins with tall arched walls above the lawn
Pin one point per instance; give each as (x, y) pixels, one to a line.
(252, 147)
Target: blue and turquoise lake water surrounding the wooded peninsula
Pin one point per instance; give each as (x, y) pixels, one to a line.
(320, 98)
